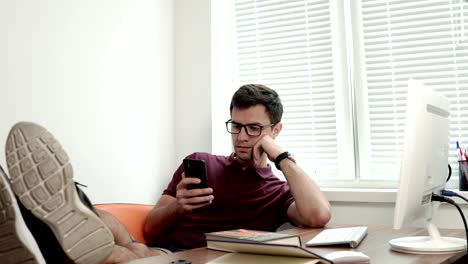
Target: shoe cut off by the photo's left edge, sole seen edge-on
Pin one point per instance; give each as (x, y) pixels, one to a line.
(17, 245)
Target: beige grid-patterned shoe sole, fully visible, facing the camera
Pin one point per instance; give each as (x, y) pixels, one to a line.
(42, 179)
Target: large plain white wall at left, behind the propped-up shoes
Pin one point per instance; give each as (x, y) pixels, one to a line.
(99, 75)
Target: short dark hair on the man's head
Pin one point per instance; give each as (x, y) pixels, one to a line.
(253, 94)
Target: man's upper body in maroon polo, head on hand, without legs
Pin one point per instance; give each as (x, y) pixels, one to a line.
(243, 192)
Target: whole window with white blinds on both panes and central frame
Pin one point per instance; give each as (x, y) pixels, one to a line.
(341, 70)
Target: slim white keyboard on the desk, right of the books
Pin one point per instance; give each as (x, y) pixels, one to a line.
(339, 236)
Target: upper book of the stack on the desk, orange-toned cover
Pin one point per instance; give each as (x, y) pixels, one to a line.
(253, 236)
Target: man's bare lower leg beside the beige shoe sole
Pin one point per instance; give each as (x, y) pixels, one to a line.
(125, 248)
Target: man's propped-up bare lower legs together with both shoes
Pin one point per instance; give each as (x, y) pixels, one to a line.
(47, 219)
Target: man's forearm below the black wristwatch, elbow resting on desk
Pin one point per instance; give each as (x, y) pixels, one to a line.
(313, 208)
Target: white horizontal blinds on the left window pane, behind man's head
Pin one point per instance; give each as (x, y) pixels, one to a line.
(286, 45)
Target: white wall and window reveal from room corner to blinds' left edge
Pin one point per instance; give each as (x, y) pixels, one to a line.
(203, 76)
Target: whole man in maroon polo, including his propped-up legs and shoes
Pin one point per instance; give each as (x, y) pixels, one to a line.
(66, 228)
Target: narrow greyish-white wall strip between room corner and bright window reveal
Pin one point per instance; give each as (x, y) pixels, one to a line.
(192, 77)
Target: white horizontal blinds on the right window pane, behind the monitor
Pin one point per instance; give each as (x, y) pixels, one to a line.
(410, 39)
